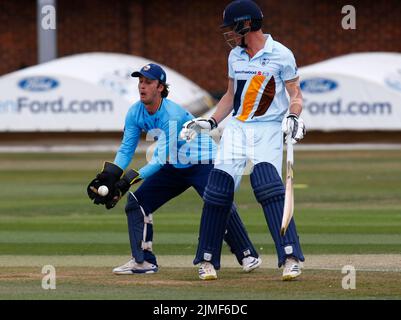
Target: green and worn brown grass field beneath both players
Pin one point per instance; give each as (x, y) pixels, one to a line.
(348, 203)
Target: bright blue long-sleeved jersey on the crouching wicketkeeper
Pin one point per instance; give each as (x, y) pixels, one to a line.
(163, 126)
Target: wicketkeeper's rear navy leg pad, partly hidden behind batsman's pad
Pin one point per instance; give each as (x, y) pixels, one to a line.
(237, 238)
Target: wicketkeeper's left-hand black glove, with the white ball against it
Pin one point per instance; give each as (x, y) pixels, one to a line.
(108, 177)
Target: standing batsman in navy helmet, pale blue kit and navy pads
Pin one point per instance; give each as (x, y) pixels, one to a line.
(260, 72)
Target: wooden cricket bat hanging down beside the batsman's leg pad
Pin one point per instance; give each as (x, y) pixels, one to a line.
(289, 189)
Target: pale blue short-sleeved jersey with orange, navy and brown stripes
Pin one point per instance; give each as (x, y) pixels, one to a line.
(259, 82)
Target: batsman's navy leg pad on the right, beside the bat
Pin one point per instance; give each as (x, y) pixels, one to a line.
(270, 192)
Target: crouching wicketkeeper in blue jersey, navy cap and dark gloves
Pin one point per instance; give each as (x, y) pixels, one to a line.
(175, 166)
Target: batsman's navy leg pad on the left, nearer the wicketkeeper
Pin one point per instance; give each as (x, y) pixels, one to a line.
(218, 200)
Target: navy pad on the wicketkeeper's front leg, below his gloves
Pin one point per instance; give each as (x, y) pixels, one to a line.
(140, 229)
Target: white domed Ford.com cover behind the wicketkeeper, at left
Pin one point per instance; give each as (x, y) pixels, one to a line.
(83, 92)
